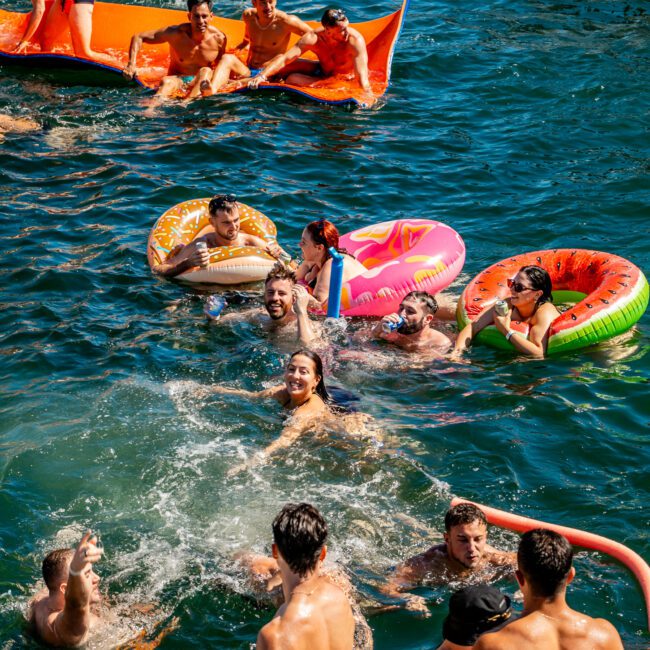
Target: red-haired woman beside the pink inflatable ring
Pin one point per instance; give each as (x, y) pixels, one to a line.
(316, 269)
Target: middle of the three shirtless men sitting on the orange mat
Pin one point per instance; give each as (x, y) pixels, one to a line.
(267, 34)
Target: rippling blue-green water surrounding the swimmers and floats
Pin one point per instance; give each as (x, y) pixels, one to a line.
(523, 125)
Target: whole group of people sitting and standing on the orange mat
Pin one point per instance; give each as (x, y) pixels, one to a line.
(199, 63)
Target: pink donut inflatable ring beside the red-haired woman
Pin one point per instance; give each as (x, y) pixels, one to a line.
(401, 256)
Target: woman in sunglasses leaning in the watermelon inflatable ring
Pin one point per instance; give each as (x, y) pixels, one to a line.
(529, 302)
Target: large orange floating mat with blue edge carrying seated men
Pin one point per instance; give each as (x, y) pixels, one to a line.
(115, 24)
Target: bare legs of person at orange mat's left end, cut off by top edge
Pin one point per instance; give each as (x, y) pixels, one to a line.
(78, 16)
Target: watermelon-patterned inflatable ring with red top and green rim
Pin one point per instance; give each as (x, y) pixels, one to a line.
(610, 295)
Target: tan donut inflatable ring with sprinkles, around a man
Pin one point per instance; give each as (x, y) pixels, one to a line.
(186, 221)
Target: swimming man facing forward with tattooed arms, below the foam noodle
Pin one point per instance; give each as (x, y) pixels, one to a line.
(464, 553)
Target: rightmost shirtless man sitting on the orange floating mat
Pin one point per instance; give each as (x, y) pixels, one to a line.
(340, 49)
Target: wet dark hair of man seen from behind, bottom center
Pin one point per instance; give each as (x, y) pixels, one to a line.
(299, 532)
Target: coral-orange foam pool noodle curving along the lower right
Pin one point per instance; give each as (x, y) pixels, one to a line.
(623, 554)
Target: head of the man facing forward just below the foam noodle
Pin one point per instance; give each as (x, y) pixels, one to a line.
(466, 534)
